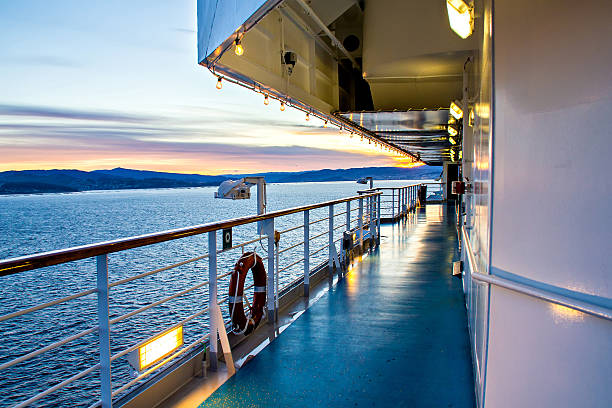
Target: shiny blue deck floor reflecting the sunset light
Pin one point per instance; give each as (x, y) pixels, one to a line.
(393, 333)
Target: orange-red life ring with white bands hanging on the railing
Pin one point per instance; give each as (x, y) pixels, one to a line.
(240, 323)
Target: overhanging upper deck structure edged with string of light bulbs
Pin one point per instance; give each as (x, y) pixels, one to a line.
(336, 59)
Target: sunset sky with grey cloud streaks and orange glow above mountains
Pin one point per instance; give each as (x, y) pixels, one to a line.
(93, 85)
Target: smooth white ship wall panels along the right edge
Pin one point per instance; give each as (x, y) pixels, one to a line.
(551, 195)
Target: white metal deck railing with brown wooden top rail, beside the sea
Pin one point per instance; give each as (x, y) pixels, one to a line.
(280, 259)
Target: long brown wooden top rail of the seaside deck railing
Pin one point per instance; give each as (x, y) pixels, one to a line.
(25, 263)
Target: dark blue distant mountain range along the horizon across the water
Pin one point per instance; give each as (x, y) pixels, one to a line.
(58, 181)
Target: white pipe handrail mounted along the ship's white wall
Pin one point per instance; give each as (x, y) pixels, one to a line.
(530, 290)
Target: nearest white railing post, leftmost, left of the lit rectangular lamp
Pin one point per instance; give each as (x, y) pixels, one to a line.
(104, 330)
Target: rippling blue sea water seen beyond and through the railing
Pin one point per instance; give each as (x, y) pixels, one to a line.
(37, 223)
